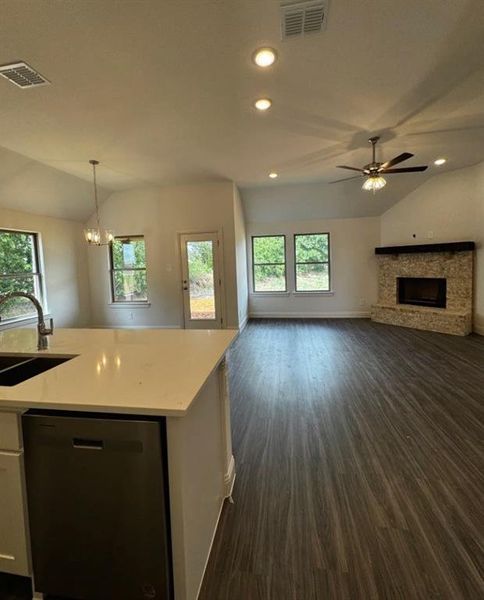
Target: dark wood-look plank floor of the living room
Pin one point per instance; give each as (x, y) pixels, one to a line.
(359, 465)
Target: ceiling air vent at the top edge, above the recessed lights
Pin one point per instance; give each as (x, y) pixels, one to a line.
(300, 17)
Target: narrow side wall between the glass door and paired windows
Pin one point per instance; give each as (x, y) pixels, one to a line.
(241, 260)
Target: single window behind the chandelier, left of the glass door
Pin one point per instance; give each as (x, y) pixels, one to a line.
(128, 269)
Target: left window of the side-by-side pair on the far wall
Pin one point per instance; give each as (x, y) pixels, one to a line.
(269, 263)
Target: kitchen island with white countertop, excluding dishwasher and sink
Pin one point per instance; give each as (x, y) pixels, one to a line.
(177, 374)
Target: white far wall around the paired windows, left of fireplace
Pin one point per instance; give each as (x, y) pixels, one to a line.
(353, 270)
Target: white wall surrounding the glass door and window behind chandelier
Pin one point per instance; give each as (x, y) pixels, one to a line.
(161, 214)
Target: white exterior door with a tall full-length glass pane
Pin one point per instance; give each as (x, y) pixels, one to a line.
(201, 280)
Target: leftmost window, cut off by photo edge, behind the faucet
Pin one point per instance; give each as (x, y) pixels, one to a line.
(19, 272)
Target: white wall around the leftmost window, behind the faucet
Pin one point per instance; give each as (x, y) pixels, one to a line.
(65, 262)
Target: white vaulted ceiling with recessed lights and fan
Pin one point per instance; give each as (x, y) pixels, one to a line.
(161, 92)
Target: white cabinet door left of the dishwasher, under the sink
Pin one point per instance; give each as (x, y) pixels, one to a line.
(13, 534)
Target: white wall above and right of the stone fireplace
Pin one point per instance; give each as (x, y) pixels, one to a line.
(447, 208)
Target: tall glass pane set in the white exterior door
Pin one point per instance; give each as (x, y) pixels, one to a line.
(201, 280)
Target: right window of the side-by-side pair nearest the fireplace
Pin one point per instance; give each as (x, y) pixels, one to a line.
(311, 257)
